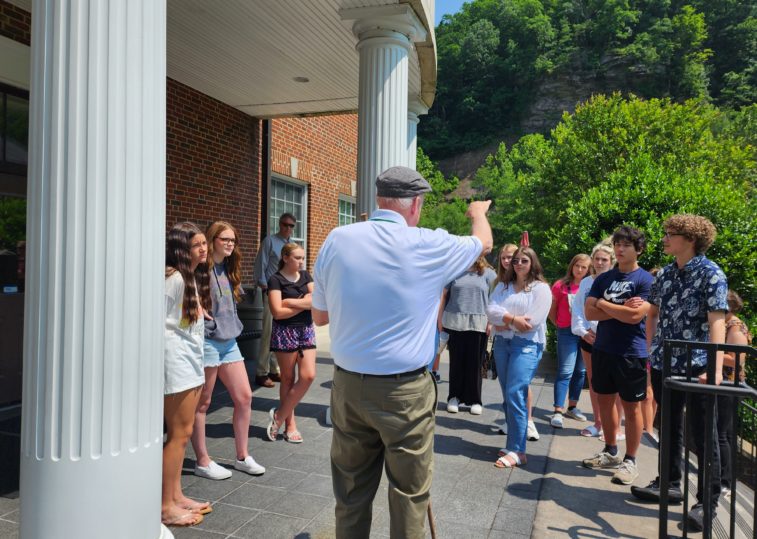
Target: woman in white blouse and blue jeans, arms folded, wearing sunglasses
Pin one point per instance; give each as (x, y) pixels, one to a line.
(518, 310)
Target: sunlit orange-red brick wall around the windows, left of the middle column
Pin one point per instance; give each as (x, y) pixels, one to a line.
(326, 150)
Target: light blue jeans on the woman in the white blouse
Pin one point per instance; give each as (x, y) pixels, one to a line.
(516, 361)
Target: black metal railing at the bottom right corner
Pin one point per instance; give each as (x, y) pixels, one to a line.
(733, 391)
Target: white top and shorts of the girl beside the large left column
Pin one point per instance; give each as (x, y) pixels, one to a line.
(183, 368)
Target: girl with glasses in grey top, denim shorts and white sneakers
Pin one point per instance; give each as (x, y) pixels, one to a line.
(222, 356)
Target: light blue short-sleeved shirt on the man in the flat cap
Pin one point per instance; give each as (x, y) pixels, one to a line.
(381, 283)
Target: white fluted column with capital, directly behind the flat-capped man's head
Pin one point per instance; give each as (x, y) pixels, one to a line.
(385, 37)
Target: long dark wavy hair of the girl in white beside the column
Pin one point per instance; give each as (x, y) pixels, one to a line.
(197, 283)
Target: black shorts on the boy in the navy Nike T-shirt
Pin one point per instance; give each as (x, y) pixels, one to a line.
(624, 375)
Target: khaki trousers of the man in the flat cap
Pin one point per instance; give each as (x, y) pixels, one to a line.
(377, 422)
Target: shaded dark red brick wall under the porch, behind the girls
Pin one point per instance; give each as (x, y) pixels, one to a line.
(213, 166)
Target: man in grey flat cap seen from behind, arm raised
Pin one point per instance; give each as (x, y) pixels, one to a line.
(378, 284)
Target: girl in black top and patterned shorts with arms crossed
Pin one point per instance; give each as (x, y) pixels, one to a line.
(290, 291)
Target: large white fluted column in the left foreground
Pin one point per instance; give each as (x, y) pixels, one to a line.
(93, 334)
